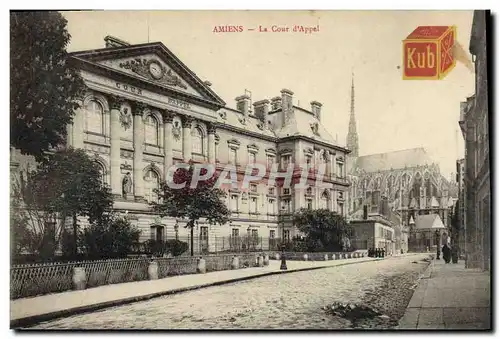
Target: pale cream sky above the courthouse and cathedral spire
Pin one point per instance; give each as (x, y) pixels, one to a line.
(391, 113)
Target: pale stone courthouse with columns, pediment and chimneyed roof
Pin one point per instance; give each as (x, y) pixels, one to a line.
(145, 110)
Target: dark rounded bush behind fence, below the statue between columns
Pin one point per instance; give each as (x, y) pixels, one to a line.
(109, 237)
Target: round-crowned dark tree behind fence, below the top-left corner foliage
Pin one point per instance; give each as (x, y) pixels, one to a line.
(66, 184)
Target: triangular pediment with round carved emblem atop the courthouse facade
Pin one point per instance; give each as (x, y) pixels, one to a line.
(153, 64)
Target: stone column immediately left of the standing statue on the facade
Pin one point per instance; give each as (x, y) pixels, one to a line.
(115, 105)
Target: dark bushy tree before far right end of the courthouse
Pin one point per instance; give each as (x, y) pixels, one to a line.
(323, 229)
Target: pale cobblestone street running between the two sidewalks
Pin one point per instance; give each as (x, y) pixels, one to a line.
(284, 301)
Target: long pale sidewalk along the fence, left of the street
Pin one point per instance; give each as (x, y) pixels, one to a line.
(27, 311)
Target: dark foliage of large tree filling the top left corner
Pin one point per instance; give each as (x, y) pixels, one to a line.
(43, 83)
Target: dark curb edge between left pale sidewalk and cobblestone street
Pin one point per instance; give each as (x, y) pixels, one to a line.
(17, 324)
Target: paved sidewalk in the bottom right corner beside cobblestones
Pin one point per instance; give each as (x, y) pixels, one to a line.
(451, 297)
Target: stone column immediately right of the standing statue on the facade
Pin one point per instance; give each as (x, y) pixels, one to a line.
(138, 150)
